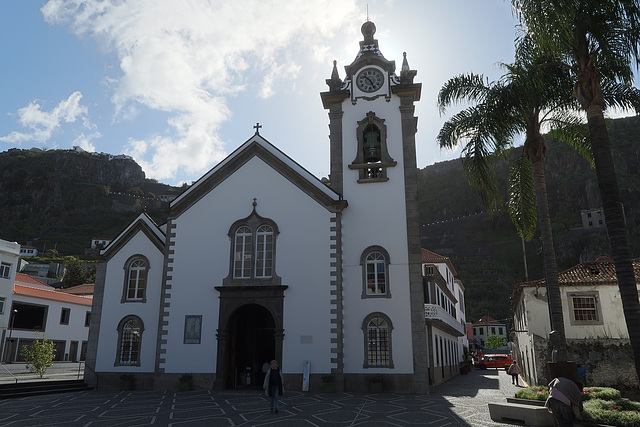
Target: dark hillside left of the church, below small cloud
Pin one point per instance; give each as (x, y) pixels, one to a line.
(62, 199)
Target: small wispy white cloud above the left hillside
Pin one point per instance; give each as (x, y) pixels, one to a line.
(41, 124)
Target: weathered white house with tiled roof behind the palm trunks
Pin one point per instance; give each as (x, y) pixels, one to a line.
(594, 323)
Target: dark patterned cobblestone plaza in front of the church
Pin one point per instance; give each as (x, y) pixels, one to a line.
(462, 401)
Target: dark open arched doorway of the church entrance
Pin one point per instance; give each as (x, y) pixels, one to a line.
(250, 343)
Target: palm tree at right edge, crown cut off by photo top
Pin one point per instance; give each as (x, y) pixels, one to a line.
(598, 41)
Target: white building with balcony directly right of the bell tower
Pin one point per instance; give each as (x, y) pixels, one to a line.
(445, 318)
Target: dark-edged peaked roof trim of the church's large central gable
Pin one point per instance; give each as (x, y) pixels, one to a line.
(259, 147)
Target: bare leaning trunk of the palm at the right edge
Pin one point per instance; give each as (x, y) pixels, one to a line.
(614, 217)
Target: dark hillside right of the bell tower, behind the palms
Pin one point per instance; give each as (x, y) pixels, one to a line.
(486, 251)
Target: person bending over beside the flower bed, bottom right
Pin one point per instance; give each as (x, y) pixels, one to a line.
(565, 401)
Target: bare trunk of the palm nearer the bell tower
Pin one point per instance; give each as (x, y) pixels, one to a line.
(549, 254)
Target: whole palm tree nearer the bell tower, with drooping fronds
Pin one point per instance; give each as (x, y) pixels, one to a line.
(529, 97)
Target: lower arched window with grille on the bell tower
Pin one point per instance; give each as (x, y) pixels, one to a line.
(377, 340)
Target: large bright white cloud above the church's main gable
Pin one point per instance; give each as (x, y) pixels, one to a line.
(186, 58)
